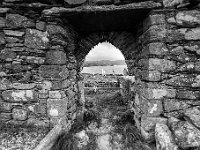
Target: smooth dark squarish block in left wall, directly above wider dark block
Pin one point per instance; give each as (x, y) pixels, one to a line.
(54, 57)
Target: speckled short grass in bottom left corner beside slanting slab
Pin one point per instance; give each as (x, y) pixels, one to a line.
(13, 137)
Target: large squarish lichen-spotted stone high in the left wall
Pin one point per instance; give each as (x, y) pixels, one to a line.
(36, 39)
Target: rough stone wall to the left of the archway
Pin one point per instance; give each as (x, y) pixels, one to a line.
(37, 69)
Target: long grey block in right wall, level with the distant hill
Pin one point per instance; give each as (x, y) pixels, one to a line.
(162, 65)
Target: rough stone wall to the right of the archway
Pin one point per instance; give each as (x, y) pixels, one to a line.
(167, 78)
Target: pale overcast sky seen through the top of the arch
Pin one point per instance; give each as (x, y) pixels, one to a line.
(104, 51)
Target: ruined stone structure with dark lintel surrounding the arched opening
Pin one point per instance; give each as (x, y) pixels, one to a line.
(44, 43)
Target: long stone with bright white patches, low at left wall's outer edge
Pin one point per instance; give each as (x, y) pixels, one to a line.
(20, 96)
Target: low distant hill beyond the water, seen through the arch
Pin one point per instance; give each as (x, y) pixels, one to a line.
(104, 63)
